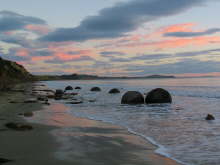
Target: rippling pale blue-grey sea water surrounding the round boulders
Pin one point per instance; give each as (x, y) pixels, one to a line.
(178, 129)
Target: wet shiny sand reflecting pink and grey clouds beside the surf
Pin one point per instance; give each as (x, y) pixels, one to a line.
(84, 141)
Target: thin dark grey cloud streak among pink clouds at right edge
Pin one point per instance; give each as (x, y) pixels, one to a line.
(192, 34)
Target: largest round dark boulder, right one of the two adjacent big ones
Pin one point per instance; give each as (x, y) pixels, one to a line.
(157, 96)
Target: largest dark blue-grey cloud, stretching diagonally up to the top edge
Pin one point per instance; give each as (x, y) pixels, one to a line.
(123, 17)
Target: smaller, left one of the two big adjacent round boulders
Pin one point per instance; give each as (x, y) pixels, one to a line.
(132, 97)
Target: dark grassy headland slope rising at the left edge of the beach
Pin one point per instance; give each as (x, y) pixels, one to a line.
(11, 73)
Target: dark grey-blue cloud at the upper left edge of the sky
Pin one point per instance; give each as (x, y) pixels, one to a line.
(10, 21)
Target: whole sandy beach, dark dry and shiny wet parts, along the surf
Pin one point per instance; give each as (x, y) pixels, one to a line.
(59, 138)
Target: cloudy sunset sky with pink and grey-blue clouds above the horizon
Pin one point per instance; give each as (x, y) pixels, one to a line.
(112, 37)
